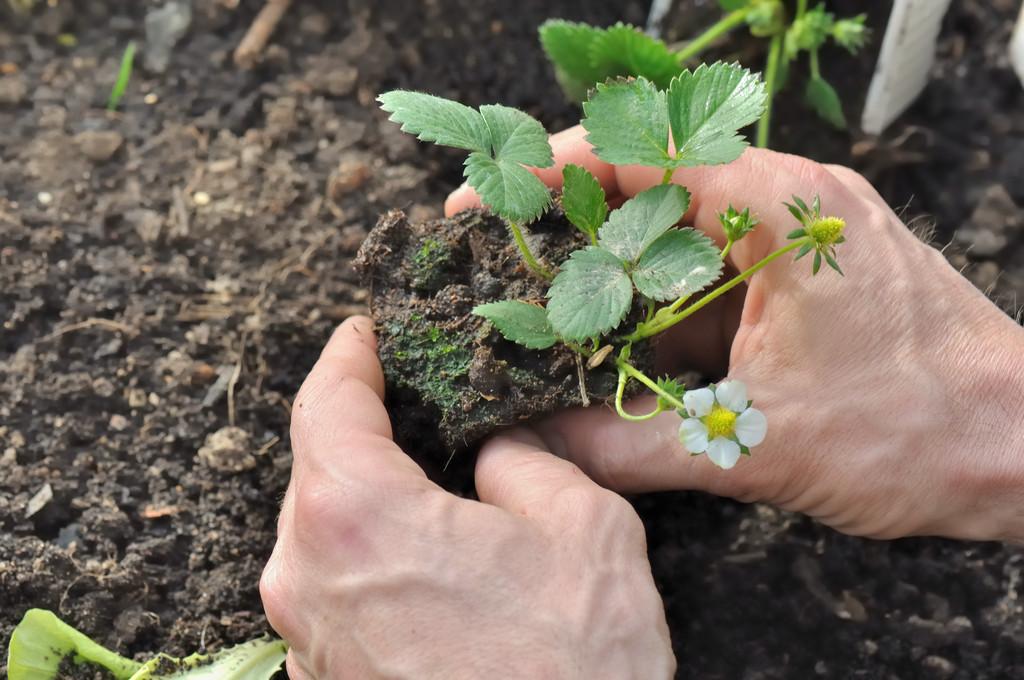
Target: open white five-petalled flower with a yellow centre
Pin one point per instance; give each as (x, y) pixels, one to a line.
(720, 422)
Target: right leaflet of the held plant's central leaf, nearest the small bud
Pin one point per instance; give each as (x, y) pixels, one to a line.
(681, 263)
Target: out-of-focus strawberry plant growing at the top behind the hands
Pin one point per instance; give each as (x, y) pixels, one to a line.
(584, 56)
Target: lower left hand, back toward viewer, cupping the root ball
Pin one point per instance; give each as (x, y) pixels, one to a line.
(380, 574)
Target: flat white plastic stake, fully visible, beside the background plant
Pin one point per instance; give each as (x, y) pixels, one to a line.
(905, 63)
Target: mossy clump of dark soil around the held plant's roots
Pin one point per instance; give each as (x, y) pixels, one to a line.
(452, 378)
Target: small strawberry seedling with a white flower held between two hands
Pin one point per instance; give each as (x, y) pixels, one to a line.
(635, 274)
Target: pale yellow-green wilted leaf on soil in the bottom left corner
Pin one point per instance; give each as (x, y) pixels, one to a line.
(41, 644)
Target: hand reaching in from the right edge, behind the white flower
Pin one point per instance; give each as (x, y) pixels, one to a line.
(894, 396)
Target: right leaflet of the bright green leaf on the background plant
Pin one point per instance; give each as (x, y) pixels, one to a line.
(626, 51)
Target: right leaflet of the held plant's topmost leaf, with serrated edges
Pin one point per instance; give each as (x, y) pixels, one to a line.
(708, 107)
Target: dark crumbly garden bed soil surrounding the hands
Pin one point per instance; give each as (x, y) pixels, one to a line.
(163, 300)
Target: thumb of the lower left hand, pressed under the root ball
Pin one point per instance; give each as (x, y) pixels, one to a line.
(515, 472)
